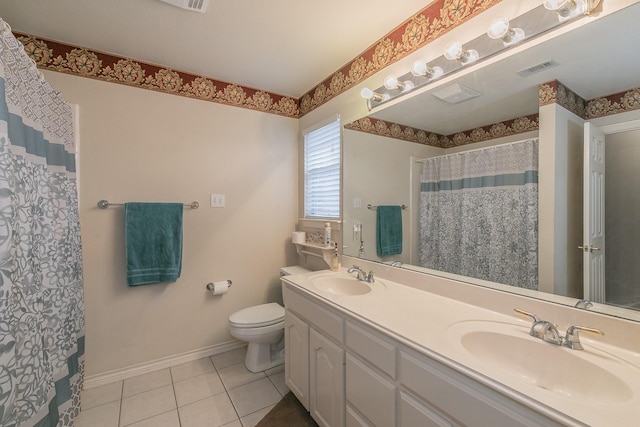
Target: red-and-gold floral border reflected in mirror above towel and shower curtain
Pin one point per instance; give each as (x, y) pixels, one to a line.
(484, 133)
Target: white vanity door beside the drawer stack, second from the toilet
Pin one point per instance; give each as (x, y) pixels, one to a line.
(326, 380)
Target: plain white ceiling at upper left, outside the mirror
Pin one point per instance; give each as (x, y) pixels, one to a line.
(281, 46)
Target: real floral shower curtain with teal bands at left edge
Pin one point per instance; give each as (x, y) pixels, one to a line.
(41, 294)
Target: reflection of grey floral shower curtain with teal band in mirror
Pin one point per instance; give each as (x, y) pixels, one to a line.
(479, 214)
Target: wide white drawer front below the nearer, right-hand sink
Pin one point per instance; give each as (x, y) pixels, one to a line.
(463, 399)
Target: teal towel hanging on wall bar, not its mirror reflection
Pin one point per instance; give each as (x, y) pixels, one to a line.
(153, 242)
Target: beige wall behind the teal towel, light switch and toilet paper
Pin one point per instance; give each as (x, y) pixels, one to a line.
(139, 145)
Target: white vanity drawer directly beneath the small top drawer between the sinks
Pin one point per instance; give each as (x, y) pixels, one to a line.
(370, 393)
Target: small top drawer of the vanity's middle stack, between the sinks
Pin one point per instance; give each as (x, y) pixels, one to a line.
(374, 350)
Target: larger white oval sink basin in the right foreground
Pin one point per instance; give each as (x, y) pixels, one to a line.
(509, 349)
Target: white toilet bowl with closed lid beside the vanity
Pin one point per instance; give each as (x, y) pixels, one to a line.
(262, 326)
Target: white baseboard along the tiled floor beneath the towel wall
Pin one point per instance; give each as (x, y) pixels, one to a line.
(163, 363)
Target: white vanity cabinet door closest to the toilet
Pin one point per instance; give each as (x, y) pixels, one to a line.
(296, 353)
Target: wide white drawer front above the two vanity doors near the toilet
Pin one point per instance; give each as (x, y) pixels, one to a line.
(326, 321)
